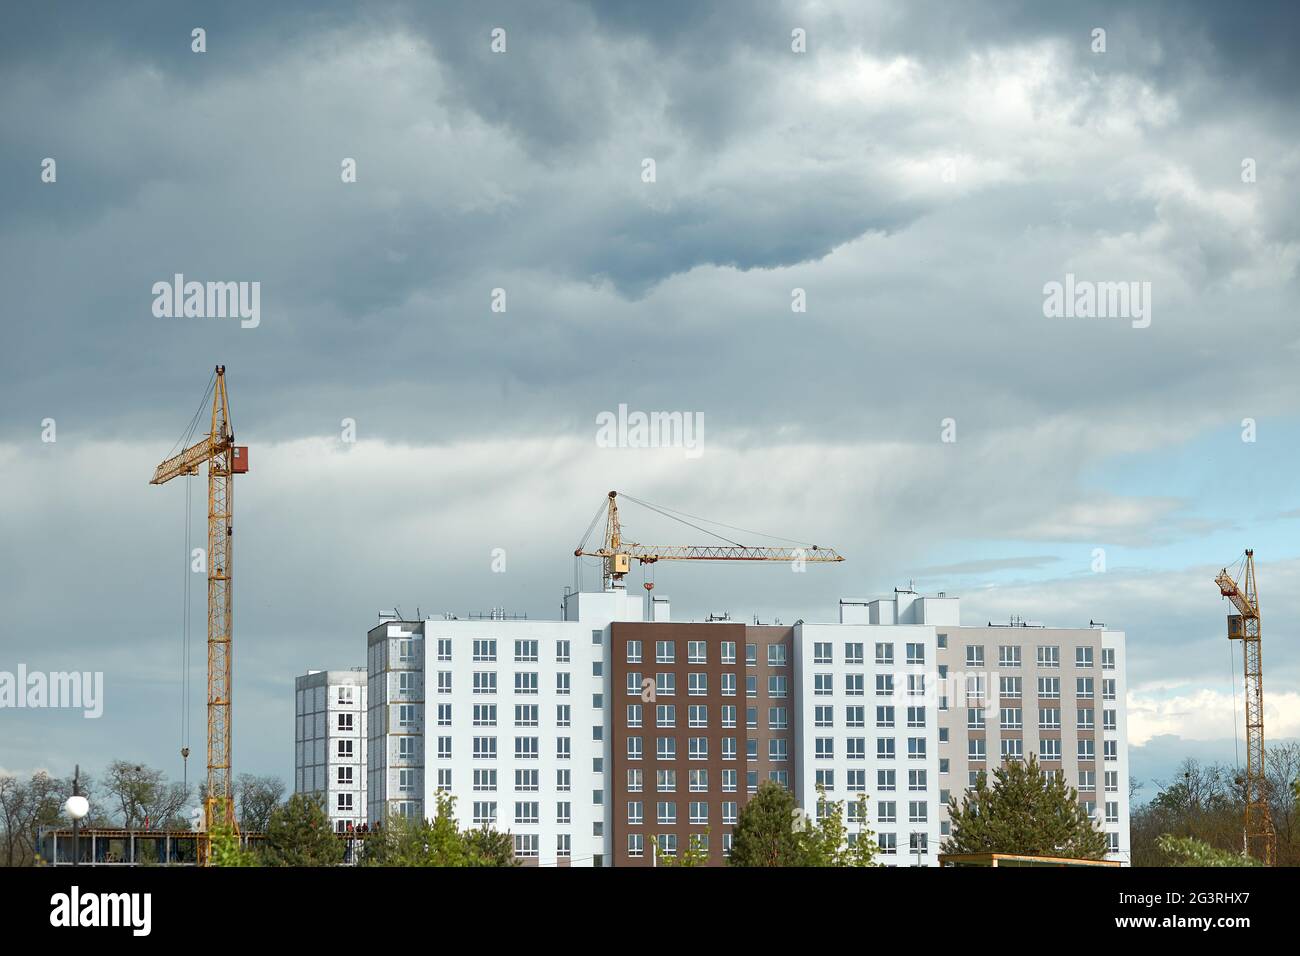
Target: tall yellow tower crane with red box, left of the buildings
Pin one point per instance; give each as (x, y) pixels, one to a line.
(226, 460)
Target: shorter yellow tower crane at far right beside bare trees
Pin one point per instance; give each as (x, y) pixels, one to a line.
(1245, 626)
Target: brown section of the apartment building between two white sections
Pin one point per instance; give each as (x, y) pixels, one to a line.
(700, 716)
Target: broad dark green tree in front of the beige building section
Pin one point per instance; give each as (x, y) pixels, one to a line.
(1028, 812)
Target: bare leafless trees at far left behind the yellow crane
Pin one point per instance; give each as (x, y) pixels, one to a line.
(128, 795)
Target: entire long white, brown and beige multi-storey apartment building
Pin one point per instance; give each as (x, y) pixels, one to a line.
(614, 734)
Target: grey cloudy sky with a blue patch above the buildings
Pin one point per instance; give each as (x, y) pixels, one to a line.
(921, 172)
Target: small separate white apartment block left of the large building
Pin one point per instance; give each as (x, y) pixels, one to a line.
(331, 743)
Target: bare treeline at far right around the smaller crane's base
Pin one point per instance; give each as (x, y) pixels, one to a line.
(1207, 803)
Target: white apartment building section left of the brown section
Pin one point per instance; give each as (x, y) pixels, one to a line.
(509, 717)
